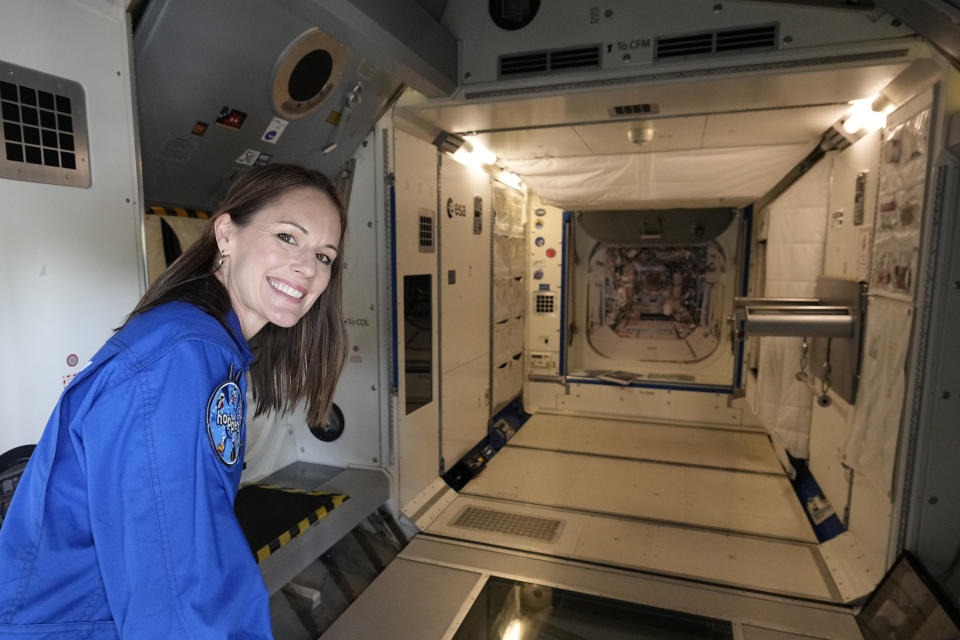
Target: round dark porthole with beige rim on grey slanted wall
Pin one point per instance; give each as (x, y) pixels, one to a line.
(307, 73)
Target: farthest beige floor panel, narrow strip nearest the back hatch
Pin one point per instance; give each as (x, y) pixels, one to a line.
(718, 448)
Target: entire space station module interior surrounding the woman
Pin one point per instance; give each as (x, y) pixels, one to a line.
(670, 282)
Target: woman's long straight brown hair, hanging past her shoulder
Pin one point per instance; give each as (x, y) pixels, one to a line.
(299, 363)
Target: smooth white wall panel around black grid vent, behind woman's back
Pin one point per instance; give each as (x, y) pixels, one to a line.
(71, 264)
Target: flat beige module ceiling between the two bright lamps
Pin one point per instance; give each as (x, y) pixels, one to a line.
(702, 113)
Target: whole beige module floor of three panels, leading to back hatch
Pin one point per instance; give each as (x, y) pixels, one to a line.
(708, 504)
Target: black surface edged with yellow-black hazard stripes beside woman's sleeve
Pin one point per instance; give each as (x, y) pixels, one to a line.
(263, 509)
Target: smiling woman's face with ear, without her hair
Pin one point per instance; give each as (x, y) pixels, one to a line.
(279, 264)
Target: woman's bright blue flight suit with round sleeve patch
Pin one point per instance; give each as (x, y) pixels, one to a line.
(123, 523)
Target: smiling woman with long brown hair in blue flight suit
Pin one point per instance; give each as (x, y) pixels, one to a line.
(123, 525)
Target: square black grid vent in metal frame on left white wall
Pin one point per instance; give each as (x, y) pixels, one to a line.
(44, 132)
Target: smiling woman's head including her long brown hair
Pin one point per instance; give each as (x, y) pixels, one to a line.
(267, 209)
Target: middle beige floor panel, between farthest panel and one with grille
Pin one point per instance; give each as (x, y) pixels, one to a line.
(726, 500)
